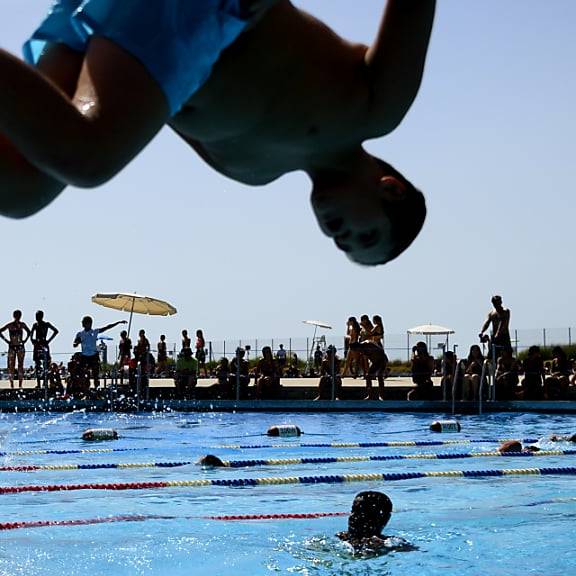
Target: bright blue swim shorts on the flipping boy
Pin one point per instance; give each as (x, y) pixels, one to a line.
(178, 41)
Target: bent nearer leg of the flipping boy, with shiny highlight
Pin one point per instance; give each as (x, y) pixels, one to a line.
(116, 109)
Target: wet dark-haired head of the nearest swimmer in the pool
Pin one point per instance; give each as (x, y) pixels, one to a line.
(371, 511)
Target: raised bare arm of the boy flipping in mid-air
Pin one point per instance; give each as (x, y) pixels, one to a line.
(396, 59)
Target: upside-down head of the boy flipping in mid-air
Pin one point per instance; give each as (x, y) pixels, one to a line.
(370, 210)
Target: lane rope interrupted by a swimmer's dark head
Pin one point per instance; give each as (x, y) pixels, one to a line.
(288, 461)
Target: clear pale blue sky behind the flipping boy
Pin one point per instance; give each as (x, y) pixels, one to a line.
(489, 141)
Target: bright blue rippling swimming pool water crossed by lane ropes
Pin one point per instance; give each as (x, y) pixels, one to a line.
(460, 525)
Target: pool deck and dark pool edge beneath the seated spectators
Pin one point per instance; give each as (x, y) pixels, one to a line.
(297, 396)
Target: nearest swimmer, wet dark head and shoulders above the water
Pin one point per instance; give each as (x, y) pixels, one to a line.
(371, 511)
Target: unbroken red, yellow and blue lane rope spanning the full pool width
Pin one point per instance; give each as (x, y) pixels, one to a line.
(276, 480)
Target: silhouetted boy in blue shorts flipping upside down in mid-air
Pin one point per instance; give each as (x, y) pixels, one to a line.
(258, 88)
